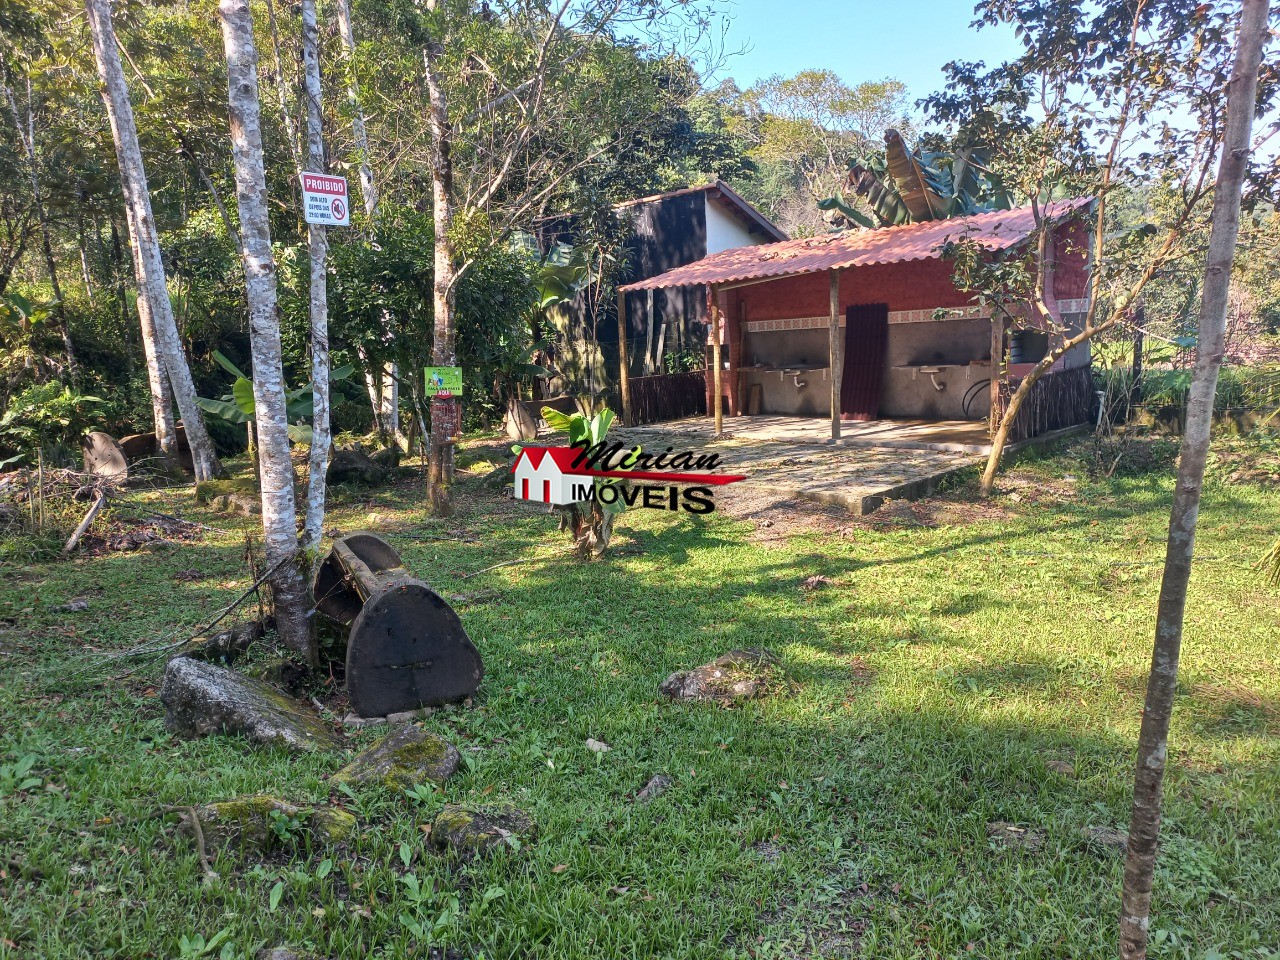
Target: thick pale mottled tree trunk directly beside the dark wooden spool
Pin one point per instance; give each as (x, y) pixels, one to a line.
(280, 511)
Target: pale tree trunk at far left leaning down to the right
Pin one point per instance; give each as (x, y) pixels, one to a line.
(150, 268)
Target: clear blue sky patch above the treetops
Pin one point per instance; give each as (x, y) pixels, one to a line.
(861, 40)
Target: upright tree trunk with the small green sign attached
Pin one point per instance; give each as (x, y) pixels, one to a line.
(444, 289)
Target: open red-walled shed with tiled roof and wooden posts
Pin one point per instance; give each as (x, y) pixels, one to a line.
(870, 324)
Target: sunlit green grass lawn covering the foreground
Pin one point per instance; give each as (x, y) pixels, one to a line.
(929, 687)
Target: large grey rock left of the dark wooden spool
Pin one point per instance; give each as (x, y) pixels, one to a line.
(202, 700)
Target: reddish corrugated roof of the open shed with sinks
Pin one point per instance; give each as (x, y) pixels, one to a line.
(999, 230)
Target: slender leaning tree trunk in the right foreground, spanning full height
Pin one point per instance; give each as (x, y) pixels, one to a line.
(1154, 737)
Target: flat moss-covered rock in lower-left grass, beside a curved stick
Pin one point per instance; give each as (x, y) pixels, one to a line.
(262, 824)
